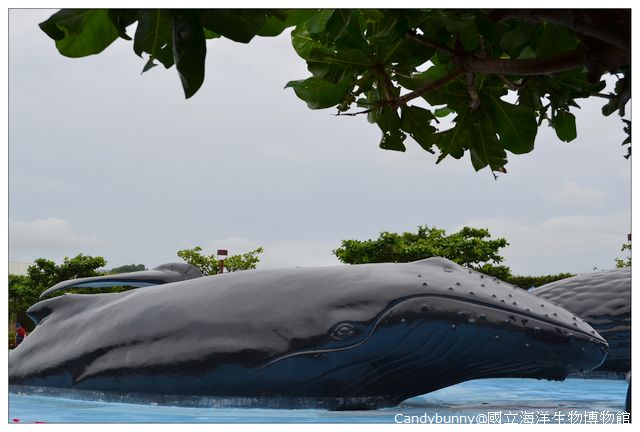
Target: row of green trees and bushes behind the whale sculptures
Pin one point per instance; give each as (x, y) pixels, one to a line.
(470, 247)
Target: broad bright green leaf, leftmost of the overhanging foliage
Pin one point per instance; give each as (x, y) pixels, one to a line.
(80, 32)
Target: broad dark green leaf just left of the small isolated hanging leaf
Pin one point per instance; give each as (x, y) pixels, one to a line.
(516, 124)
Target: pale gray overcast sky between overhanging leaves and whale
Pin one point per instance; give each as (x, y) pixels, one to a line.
(105, 161)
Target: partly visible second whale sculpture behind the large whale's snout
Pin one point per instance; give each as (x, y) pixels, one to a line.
(603, 300)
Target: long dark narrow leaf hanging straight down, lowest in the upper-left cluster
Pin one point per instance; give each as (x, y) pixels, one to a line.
(189, 50)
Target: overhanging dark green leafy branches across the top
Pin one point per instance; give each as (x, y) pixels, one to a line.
(403, 69)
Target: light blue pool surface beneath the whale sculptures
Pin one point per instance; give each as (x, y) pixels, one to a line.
(517, 401)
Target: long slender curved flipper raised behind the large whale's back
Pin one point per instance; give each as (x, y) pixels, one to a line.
(165, 273)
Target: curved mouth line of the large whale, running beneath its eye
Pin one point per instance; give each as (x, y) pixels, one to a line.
(400, 300)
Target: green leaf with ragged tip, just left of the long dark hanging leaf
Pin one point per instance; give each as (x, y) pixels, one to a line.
(154, 36)
